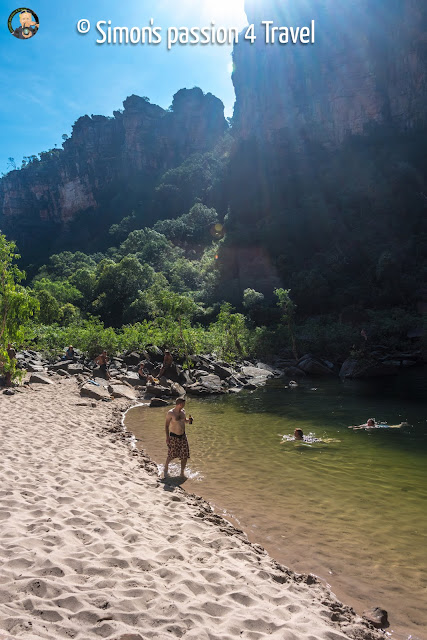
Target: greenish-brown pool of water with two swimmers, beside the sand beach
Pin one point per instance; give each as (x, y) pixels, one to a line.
(352, 510)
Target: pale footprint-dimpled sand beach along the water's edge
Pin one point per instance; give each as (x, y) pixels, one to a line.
(94, 545)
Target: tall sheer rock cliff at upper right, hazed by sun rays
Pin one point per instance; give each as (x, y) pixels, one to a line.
(368, 66)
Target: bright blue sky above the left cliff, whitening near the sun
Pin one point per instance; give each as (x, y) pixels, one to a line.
(52, 79)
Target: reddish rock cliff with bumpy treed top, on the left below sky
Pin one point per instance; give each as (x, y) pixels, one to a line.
(107, 162)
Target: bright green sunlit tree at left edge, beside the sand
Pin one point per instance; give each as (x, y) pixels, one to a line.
(17, 306)
